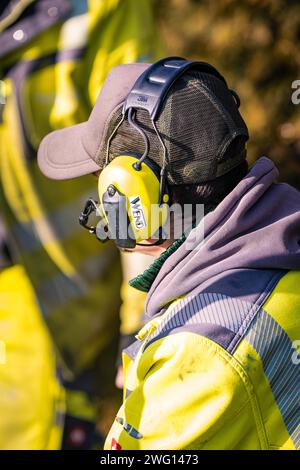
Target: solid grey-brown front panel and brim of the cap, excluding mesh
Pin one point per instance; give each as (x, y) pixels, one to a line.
(74, 151)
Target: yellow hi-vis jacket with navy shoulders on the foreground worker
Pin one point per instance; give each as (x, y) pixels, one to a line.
(217, 370)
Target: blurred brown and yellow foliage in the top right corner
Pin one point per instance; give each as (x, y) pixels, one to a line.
(255, 44)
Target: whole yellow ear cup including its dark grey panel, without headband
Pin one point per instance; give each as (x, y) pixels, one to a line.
(129, 194)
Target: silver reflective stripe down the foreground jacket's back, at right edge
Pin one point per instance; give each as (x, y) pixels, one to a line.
(275, 350)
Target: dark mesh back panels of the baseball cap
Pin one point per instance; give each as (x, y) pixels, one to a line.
(200, 124)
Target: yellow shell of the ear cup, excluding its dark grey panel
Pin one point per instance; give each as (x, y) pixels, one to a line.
(141, 189)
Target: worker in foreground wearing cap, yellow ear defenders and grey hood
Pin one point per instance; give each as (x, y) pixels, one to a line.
(213, 368)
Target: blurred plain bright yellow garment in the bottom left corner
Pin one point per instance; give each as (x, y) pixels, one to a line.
(31, 398)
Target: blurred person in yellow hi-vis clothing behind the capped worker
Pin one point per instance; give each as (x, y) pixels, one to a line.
(58, 289)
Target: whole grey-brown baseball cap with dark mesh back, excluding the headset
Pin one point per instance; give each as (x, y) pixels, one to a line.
(199, 121)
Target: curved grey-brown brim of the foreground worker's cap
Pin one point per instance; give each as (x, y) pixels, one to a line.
(61, 154)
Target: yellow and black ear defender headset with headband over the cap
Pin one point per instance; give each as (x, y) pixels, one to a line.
(133, 190)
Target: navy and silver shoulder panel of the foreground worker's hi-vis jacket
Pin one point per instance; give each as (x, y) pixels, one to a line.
(224, 310)
